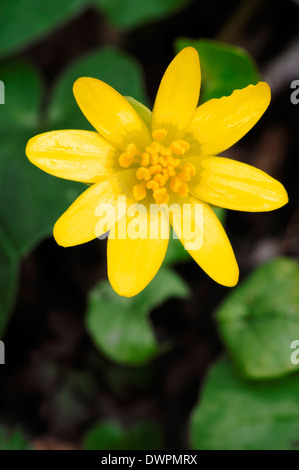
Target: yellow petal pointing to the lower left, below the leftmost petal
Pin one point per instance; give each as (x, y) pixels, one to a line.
(97, 207)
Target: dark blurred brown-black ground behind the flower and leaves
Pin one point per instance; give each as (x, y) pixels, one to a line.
(56, 384)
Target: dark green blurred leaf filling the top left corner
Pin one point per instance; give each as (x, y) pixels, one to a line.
(23, 21)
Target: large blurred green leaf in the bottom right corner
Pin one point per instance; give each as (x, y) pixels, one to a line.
(237, 415)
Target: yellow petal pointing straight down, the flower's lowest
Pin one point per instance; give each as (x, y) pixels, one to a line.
(132, 261)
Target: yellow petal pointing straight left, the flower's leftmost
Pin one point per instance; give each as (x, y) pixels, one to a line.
(74, 155)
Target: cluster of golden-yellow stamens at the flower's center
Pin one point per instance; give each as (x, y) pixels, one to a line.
(159, 168)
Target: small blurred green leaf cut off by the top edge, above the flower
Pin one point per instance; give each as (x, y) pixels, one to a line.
(127, 14)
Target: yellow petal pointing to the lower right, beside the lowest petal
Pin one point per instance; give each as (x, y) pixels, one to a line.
(215, 254)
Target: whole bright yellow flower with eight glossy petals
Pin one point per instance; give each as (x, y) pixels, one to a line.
(164, 156)
